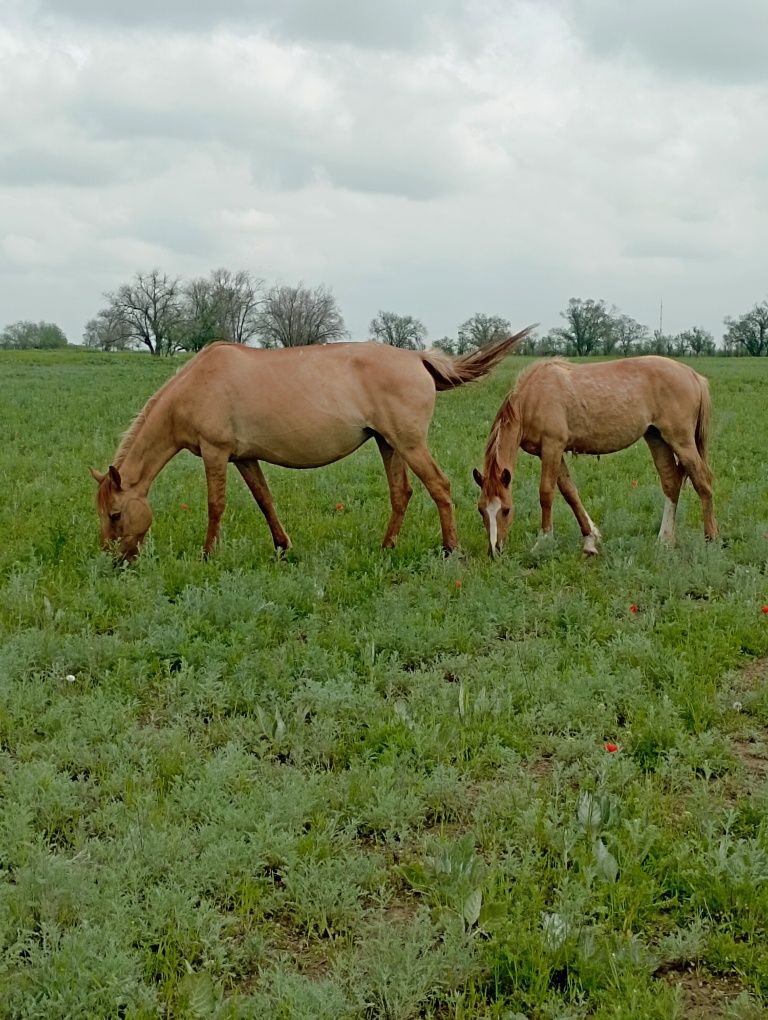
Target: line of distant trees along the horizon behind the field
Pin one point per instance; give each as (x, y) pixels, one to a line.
(165, 315)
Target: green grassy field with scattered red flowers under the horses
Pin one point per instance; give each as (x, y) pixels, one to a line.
(359, 784)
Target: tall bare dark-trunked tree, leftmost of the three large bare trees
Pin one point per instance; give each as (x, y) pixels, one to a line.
(150, 310)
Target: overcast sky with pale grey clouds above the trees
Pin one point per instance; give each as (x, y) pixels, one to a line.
(428, 158)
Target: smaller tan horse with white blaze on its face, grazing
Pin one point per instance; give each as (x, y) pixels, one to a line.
(598, 409)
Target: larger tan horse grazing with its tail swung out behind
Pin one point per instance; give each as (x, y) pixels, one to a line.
(297, 407)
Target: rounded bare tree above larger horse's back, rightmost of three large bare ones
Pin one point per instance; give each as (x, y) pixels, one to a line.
(297, 317)
